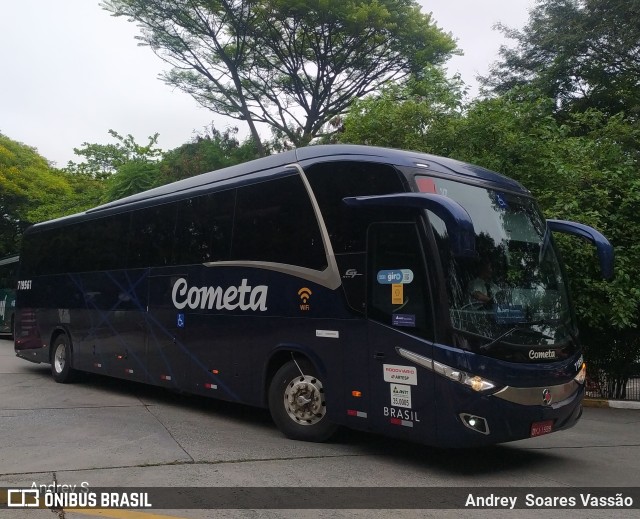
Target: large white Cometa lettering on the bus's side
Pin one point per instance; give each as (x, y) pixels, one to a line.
(244, 297)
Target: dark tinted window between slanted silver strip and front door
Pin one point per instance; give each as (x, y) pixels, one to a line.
(333, 181)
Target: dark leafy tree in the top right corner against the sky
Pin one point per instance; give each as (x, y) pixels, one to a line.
(582, 53)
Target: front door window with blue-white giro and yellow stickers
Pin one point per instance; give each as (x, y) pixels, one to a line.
(398, 292)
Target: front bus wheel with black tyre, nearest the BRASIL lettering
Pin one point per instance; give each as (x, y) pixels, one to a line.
(297, 403)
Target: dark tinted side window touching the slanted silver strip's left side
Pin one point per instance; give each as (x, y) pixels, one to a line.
(275, 222)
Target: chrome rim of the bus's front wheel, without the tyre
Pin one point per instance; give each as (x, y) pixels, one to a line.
(304, 400)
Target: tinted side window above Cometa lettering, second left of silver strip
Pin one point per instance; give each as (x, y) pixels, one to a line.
(203, 230)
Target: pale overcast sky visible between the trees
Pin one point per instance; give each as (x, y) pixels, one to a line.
(70, 72)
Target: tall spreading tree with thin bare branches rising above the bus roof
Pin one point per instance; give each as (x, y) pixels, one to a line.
(290, 64)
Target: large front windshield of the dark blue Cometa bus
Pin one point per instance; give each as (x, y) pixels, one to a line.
(513, 293)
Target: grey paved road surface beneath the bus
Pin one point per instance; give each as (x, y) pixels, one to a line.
(109, 433)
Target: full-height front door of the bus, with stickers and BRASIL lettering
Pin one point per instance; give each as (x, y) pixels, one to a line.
(399, 319)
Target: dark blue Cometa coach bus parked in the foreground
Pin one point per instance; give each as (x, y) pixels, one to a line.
(336, 285)
